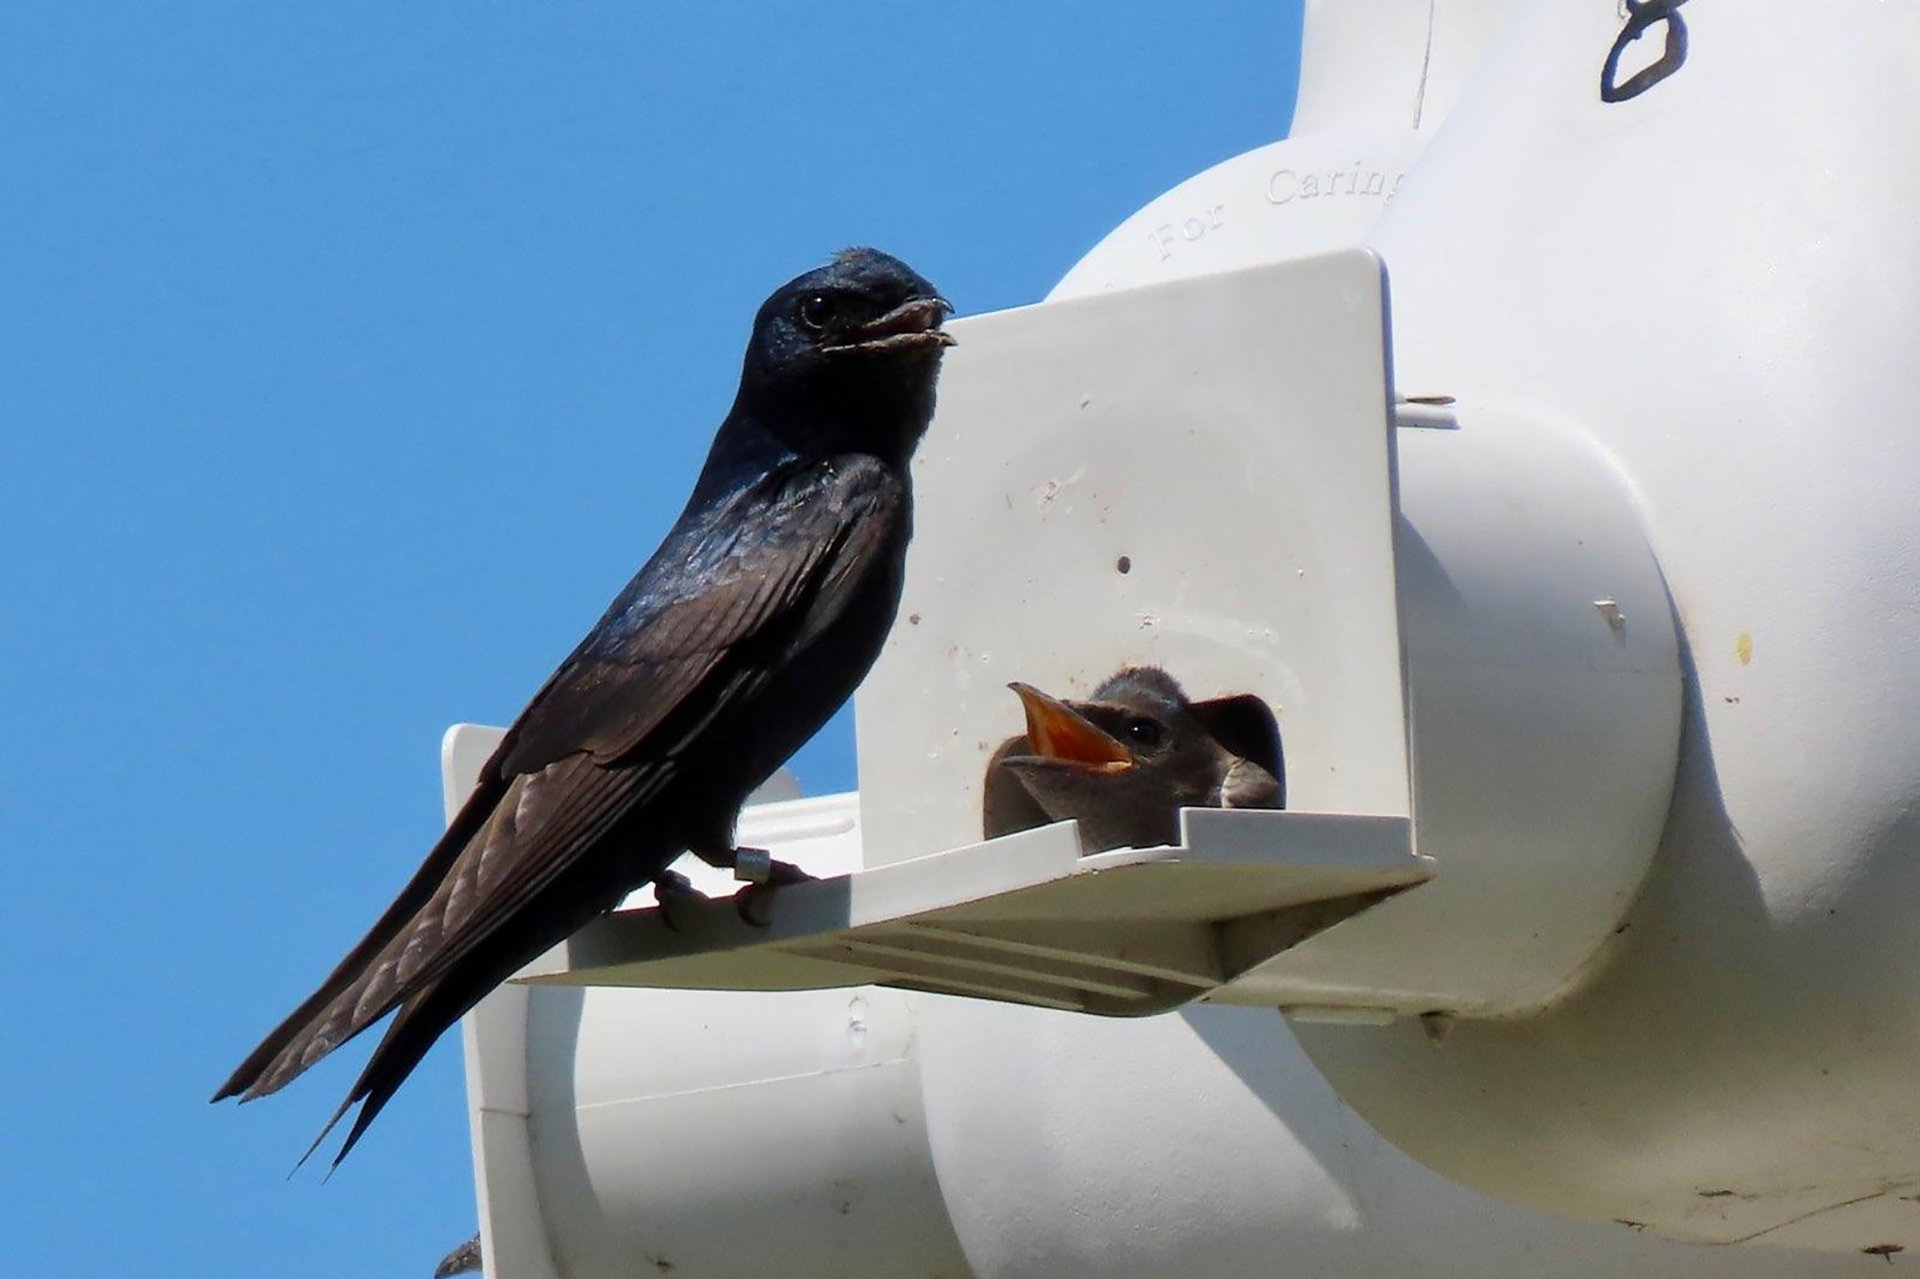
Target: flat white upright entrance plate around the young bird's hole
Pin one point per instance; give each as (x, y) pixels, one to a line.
(1195, 477)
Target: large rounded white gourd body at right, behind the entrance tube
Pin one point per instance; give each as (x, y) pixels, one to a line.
(1721, 283)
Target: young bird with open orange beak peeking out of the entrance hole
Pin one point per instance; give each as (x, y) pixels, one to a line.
(1128, 760)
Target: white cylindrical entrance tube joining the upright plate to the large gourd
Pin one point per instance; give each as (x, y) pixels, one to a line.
(1545, 683)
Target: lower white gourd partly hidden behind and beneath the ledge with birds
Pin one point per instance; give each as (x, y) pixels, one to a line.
(746, 1136)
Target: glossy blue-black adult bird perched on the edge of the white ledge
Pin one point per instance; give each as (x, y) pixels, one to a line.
(754, 621)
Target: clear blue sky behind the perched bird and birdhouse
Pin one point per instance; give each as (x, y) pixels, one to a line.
(350, 358)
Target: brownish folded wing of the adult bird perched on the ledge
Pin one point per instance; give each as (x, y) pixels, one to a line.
(604, 735)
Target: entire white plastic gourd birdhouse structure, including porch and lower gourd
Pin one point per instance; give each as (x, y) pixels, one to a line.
(1527, 435)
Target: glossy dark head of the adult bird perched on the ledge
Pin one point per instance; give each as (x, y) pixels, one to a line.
(846, 358)
